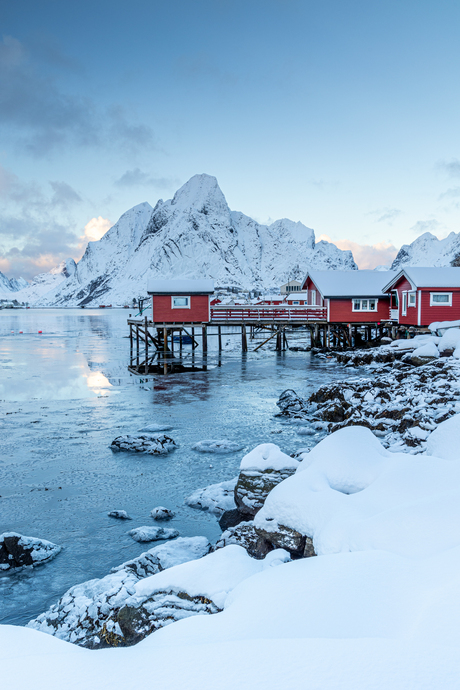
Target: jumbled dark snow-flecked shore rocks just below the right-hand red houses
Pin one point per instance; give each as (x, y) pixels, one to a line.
(391, 403)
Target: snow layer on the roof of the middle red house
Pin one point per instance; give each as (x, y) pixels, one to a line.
(350, 283)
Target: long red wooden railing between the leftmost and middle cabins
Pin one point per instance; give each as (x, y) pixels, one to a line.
(271, 313)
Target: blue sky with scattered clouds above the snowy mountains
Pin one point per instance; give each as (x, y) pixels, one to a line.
(342, 114)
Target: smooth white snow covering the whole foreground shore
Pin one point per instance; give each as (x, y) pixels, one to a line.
(378, 608)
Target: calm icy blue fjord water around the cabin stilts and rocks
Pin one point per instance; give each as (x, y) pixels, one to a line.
(66, 393)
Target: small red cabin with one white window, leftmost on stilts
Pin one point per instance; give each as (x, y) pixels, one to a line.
(180, 301)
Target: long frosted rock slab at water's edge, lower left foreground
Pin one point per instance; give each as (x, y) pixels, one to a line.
(87, 613)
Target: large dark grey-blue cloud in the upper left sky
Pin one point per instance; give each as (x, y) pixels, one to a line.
(45, 116)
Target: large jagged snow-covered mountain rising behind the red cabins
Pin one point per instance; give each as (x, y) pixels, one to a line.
(193, 235)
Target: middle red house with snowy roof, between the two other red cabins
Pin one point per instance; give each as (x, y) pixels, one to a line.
(349, 296)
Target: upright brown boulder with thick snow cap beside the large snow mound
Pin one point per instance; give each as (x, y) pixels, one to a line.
(261, 470)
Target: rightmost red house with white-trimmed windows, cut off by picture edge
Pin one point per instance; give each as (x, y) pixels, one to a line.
(420, 296)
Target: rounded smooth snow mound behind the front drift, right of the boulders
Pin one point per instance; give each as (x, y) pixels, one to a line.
(350, 494)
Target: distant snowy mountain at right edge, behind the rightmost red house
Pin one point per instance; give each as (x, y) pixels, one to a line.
(427, 250)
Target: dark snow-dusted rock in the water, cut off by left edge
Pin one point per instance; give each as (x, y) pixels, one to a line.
(17, 551)
